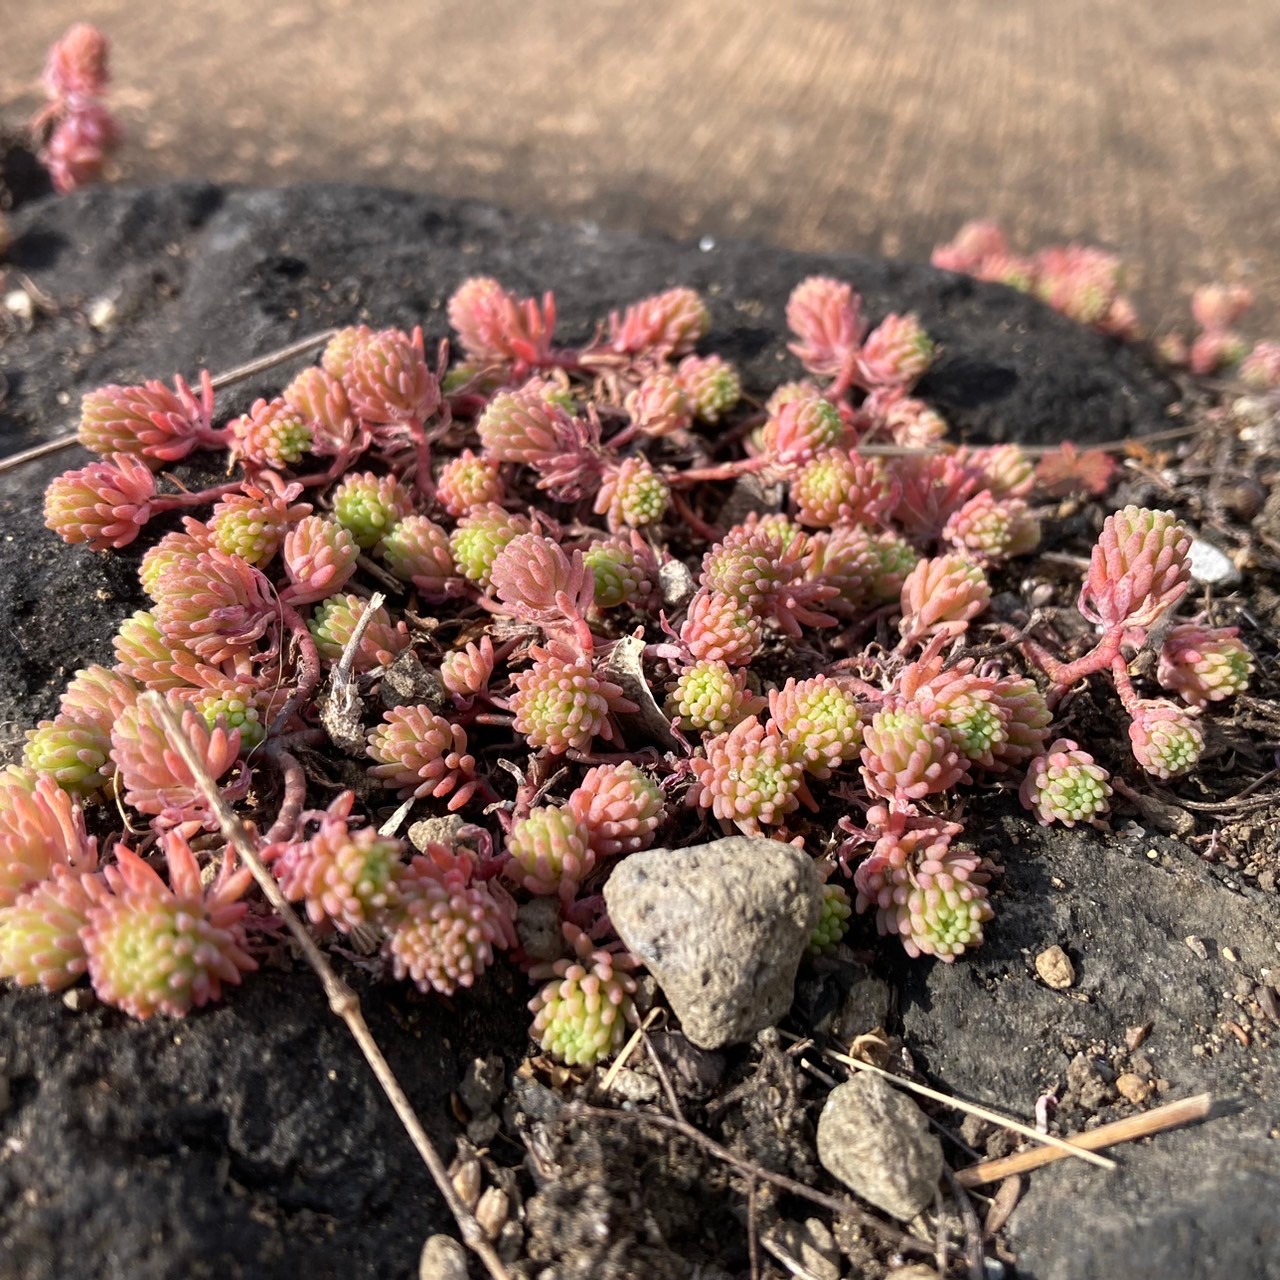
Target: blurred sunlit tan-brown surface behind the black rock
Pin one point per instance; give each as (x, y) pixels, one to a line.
(838, 125)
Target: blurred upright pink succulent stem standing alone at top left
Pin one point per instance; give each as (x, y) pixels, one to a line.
(75, 130)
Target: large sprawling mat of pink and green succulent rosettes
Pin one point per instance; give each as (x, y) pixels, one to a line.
(538, 514)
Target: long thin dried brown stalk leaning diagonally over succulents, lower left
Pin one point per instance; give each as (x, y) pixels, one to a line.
(342, 1000)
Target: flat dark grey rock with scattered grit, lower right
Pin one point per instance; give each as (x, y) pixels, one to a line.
(1197, 1204)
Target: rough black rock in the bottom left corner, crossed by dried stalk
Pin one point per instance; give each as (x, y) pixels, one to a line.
(246, 1141)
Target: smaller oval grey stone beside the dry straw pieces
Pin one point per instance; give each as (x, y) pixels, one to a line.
(877, 1142)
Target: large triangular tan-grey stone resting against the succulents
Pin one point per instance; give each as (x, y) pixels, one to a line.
(723, 929)
